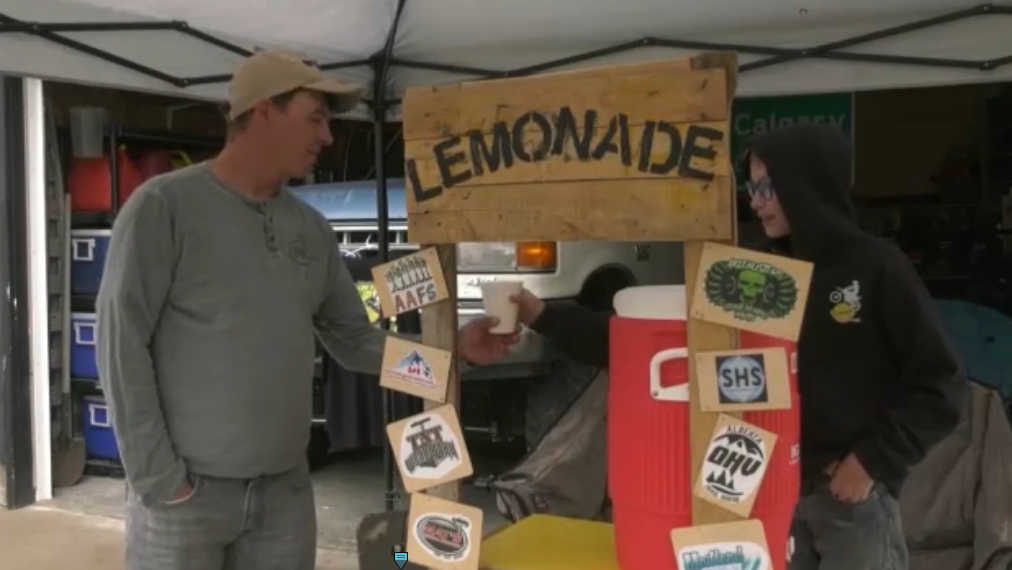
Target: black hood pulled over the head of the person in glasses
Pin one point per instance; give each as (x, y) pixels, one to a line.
(810, 169)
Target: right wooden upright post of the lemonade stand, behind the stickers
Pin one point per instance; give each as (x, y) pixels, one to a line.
(704, 337)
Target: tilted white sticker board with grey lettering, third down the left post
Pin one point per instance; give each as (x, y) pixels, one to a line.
(430, 449)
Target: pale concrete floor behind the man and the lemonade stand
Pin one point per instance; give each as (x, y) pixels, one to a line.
(88, 520)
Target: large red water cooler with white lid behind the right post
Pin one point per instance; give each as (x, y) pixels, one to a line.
(649, 455)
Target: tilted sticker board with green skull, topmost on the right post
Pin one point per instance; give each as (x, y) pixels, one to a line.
(751, 291)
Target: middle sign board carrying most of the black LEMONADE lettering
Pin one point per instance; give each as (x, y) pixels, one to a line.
(636, 151)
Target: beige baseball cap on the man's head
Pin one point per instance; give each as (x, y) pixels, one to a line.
(271, 73)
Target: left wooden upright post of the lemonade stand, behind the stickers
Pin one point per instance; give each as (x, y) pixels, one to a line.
(440, 332)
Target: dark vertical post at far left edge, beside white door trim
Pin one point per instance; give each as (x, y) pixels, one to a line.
(18, 486)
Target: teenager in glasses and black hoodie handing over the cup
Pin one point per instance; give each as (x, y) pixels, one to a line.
(880, 384)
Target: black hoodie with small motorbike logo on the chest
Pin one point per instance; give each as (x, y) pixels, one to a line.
(877, 375)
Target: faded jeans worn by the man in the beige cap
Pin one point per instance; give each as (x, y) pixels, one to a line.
(264, 524)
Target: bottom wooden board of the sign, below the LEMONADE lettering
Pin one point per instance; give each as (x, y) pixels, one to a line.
(664, 209)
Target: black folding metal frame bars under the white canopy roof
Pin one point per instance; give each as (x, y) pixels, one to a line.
(777, 56)
